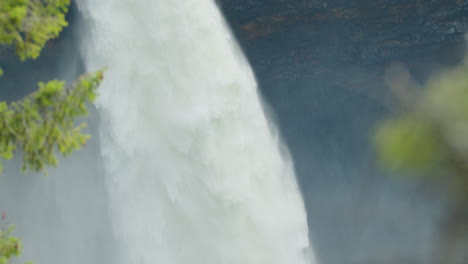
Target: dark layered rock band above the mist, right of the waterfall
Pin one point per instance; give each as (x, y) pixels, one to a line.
(342, 31)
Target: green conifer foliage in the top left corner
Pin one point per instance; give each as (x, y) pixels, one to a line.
(29, 24)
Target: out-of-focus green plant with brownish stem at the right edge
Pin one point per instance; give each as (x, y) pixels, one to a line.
(429, 137)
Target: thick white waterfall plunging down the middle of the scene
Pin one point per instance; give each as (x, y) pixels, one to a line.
(194, 172)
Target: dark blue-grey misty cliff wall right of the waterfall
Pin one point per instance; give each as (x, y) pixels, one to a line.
(320, 66)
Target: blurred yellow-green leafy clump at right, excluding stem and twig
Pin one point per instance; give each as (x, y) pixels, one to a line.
(432, 135)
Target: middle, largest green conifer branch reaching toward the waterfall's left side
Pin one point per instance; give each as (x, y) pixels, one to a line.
(44, 122)
